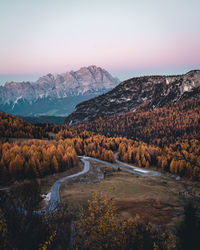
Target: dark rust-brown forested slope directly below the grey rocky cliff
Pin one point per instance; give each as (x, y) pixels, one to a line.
(159, 126)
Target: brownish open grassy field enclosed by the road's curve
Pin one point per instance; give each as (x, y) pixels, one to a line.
(157, 199)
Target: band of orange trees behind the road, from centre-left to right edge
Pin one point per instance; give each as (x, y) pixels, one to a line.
(180, 158)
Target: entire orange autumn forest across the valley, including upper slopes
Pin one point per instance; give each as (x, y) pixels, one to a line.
(166, 138)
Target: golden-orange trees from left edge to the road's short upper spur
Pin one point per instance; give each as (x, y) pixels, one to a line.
(36, 158)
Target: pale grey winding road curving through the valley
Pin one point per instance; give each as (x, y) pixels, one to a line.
(55, 196)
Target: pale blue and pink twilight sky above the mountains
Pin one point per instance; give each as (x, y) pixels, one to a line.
(126, 37)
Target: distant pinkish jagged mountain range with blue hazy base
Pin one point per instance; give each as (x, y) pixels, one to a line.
(55, 94)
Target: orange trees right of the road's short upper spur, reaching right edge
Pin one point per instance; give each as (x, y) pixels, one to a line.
(181, 158)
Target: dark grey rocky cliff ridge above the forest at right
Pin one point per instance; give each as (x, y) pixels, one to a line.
(156, 91)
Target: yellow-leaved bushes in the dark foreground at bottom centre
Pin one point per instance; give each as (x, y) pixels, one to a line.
(100, 227)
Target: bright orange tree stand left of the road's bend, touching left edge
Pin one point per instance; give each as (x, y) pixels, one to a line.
(34, 158)
